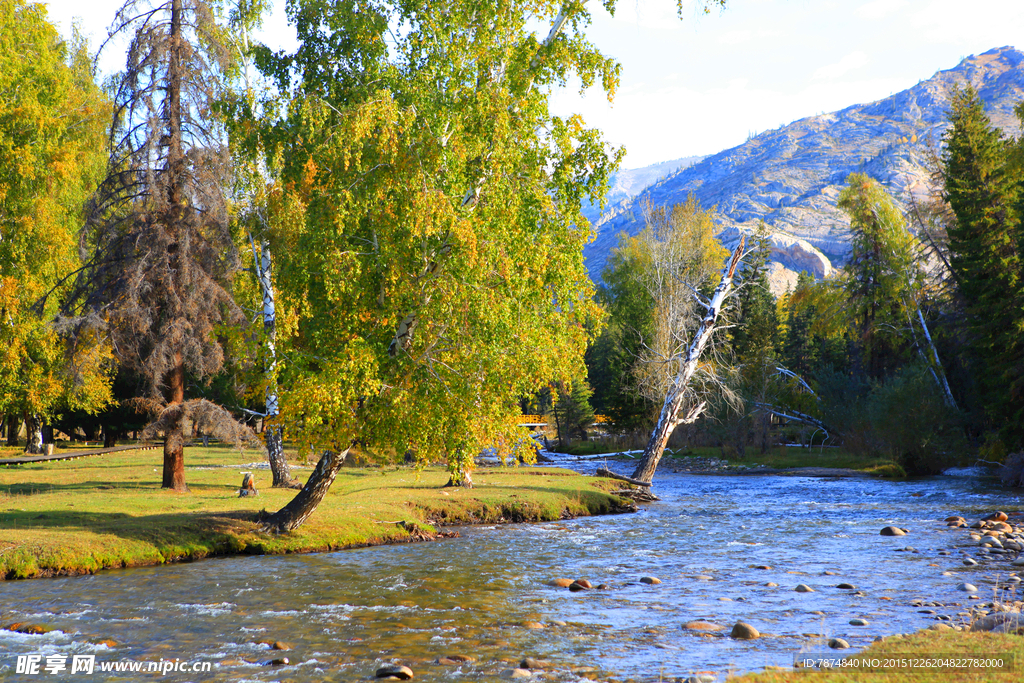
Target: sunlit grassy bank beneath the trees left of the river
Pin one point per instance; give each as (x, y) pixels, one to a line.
(84, 516)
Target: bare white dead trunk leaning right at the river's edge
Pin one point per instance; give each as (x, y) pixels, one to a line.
(676, 398)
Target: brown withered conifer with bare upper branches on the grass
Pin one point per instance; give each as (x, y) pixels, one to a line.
(157, 283)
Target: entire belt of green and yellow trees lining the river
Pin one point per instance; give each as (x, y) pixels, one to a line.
(375, 243)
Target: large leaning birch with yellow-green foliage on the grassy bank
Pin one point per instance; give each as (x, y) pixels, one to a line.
(429, 239)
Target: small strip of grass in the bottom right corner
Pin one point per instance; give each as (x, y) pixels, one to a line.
(922, 648)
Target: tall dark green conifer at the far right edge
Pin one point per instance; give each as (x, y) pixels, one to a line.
(986, 245)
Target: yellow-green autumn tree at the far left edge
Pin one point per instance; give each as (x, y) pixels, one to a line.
(52, 150)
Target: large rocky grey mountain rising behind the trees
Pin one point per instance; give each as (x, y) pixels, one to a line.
(791, 178)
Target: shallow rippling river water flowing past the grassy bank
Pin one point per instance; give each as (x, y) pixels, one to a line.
(485, 595)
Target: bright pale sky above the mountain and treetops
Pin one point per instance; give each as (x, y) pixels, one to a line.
(704, 83)
